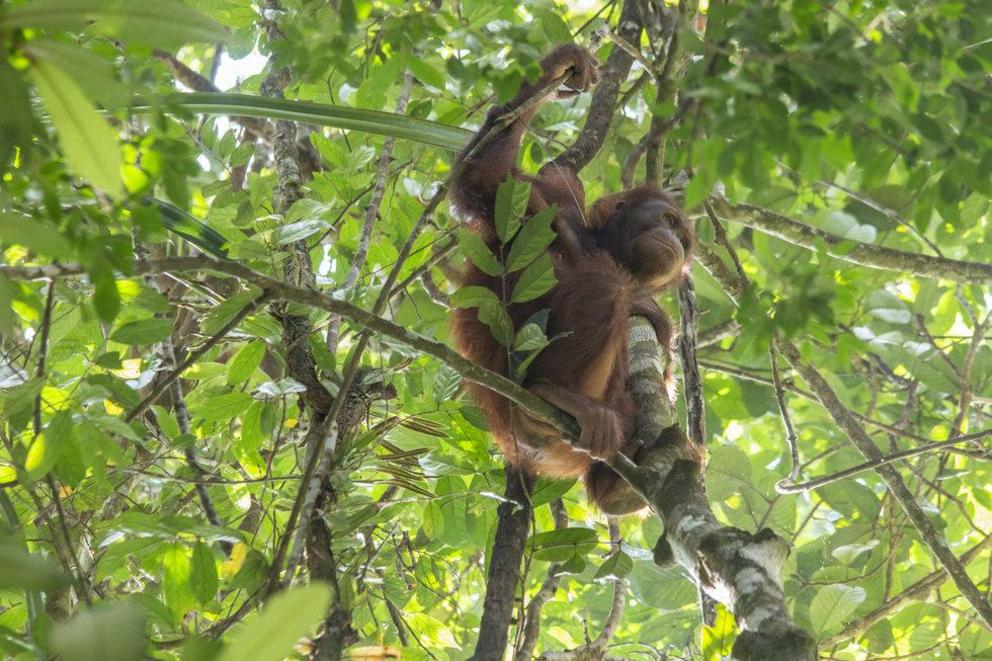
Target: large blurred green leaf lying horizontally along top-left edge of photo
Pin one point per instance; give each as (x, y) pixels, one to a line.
(164, 23)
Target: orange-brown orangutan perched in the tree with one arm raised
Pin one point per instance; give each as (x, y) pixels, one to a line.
(600, 264)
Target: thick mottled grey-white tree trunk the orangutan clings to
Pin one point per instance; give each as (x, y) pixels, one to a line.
(737, 568)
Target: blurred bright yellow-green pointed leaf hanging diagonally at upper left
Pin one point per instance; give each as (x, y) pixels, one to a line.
(88, 142)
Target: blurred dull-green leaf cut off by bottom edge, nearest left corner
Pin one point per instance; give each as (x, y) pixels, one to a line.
(114, 632)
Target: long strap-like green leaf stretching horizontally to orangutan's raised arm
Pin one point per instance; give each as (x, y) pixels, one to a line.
(341, 117)
